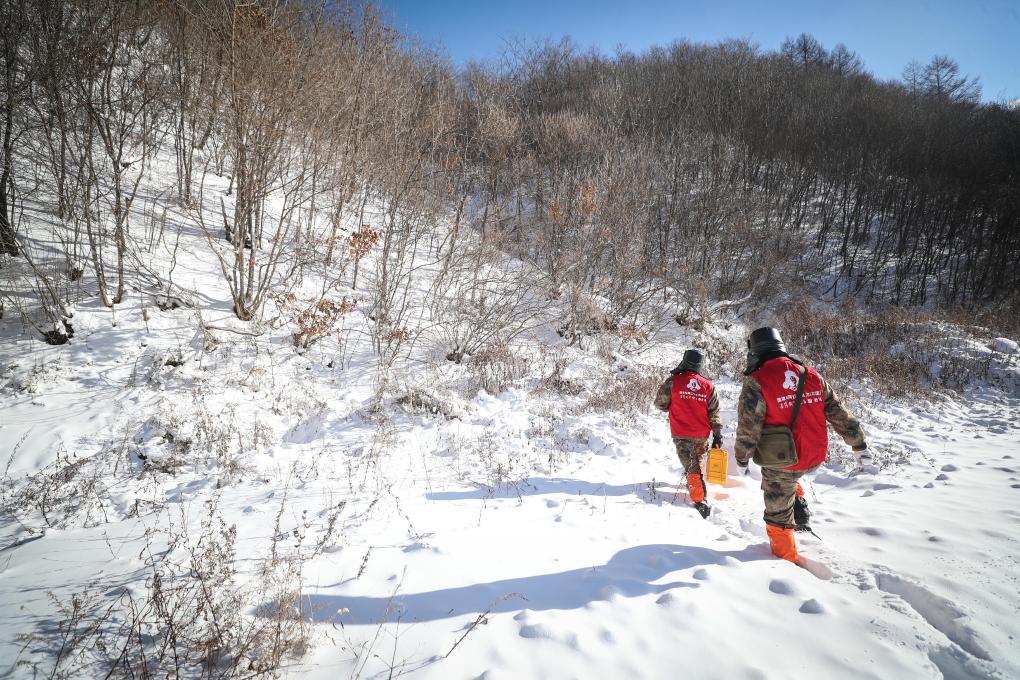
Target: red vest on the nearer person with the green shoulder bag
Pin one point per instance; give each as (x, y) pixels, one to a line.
(778, 379)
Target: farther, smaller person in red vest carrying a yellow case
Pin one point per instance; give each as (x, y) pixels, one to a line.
(694, 412)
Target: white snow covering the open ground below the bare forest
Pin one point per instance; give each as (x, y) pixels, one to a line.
(543, 532)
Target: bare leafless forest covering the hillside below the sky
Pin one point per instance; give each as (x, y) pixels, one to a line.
(724, 171)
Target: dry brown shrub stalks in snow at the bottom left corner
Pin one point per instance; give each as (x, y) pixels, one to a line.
(196, 615)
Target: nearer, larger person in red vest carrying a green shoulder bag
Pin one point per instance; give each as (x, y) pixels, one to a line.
(769, 398)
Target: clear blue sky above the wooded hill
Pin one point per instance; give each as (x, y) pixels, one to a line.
(984, 36)
